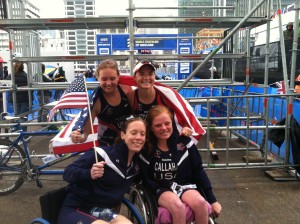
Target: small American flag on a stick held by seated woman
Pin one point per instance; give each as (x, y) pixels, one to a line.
(74, 97)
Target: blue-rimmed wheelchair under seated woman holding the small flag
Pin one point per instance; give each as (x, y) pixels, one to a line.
(52, 201)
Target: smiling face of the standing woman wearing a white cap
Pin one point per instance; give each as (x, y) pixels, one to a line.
(145, 77)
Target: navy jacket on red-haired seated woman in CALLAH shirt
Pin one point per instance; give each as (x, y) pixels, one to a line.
(189, 168)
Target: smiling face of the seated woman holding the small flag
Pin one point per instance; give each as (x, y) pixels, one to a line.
(134, 135)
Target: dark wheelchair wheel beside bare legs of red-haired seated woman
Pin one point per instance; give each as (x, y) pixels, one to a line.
(144, 203)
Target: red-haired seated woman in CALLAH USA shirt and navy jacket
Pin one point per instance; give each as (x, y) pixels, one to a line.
(173, 168)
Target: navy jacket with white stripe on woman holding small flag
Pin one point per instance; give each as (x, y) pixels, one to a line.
(107, 191)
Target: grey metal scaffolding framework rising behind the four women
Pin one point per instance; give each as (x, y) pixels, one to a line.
(247, 14)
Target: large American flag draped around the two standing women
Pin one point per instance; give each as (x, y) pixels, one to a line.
(184, 116)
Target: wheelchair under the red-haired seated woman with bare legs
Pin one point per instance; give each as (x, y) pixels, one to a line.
(144, 201)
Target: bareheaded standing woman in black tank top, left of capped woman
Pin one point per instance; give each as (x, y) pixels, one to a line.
(110, 106)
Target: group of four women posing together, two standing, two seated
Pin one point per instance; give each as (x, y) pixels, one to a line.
(134, 126)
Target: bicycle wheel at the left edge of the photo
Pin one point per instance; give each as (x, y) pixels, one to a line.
(12, 161)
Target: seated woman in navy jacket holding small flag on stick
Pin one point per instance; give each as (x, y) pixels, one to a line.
(94, 194)
